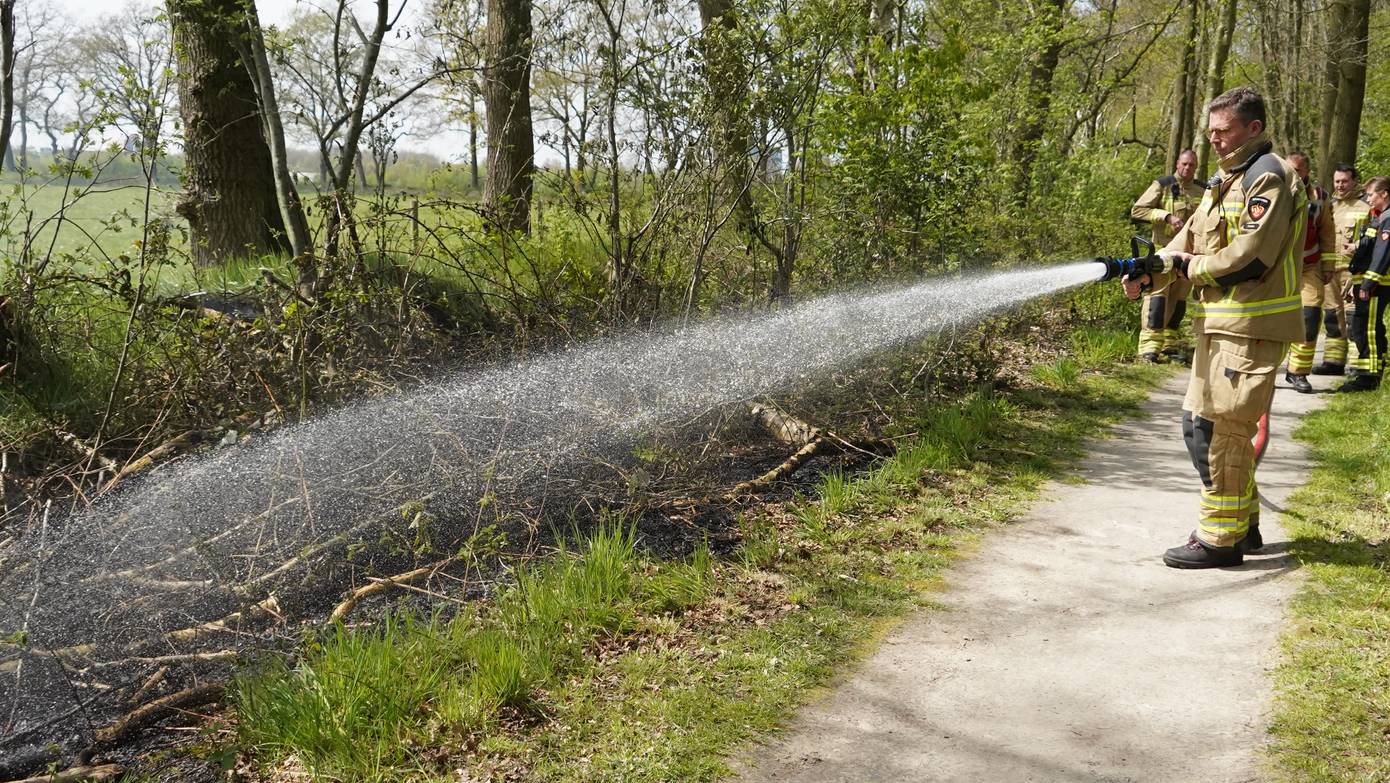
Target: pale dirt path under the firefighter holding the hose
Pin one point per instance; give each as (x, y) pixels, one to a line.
(1068, 650)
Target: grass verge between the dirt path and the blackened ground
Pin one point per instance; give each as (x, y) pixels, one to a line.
(604, 665)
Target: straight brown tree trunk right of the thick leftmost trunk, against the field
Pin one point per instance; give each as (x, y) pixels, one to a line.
(507, 94)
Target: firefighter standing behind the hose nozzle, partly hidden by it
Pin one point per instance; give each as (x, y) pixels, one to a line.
(1167, 205)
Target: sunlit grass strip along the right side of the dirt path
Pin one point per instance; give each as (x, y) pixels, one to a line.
(1332, 721)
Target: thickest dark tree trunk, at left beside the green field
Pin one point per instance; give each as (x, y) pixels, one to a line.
(230, 200)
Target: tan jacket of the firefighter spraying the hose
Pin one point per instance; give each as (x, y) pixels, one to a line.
(1248, 243)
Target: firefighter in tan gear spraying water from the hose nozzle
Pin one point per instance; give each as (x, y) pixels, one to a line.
(1242, 251)
